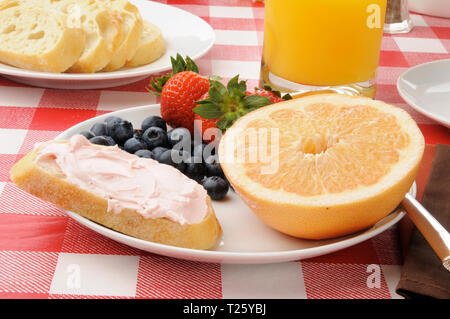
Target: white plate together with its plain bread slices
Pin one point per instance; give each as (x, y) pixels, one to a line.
(86, 44)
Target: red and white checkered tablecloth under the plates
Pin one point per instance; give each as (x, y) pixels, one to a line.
(39, 244)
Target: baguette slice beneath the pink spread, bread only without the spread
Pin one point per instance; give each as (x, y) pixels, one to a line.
(48, 184)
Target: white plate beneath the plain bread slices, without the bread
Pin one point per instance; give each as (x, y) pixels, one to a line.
(183, 33)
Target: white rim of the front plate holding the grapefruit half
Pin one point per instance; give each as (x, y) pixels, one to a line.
(225, 257)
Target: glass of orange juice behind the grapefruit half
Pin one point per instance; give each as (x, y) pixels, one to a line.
(322, 44)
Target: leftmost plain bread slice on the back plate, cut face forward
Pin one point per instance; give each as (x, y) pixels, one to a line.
(37, 39)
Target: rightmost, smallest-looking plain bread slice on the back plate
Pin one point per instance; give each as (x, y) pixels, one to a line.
(151, 46)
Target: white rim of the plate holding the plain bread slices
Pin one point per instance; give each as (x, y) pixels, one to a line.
(113, 75)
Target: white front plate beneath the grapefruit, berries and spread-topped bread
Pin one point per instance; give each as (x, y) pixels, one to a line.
(246, 239)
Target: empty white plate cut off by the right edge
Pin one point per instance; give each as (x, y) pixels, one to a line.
(426, 88)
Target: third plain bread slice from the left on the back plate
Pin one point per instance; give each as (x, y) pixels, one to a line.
(132, 24)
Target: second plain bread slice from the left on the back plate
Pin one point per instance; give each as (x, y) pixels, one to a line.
(102, 30)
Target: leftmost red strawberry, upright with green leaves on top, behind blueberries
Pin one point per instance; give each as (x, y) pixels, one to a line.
(179, 91)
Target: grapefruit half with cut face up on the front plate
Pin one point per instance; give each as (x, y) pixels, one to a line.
(322, 166)
